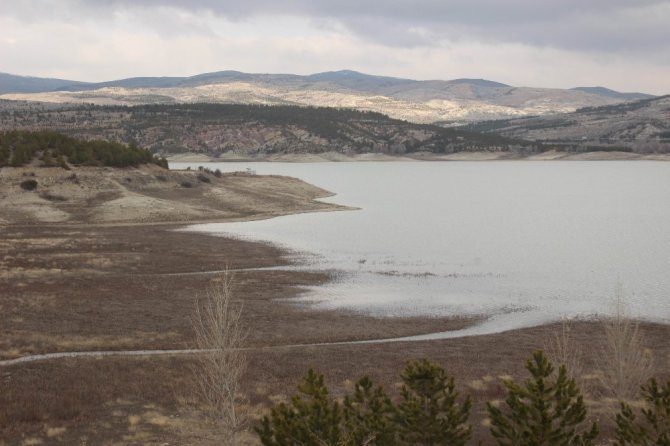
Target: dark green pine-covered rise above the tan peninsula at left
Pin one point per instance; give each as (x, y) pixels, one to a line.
(49, 148)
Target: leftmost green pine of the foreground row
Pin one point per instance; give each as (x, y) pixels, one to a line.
(311, 419)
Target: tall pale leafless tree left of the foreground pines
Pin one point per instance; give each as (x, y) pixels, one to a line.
(222, 362)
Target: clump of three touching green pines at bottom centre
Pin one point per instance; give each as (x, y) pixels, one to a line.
(428, 413)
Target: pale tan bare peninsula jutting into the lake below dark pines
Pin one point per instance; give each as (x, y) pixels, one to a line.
(149, 195)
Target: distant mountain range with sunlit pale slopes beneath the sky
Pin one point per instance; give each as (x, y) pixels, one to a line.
(433, 101)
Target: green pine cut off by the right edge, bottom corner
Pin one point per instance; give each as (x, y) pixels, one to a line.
(656, 427)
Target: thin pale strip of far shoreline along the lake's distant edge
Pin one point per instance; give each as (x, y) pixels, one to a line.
(551, 155)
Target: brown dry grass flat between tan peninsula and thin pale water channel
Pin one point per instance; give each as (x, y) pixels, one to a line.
(143, 291)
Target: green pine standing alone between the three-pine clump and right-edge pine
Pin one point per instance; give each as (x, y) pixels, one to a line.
(546, 410)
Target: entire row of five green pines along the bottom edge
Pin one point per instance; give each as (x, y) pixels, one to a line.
(546, 409)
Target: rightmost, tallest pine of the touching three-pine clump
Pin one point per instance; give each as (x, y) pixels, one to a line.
(429, 413)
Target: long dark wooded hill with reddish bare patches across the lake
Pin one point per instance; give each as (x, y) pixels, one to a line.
(249, 129)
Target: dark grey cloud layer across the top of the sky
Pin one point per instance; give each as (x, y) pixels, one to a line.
(583, 25)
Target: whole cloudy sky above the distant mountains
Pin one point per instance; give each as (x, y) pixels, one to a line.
(620, 44)
